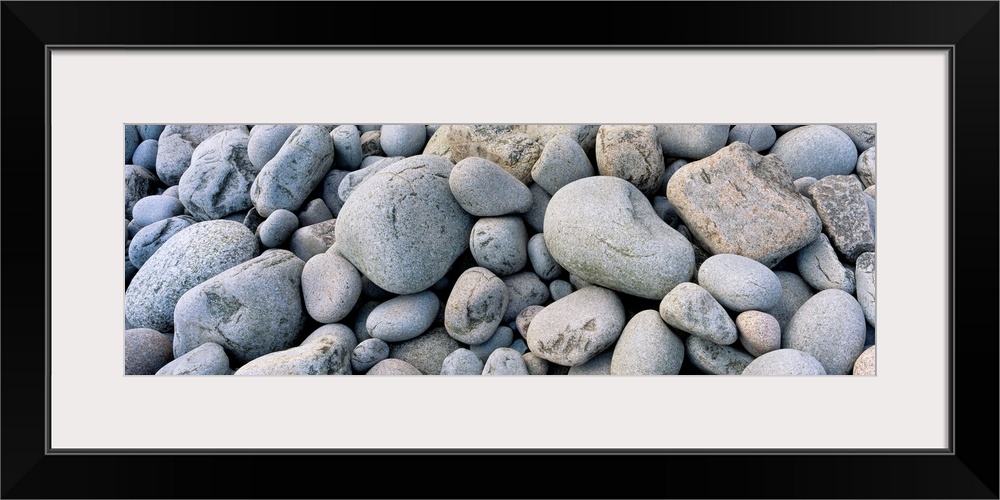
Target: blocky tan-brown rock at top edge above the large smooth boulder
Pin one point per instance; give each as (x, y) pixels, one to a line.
(632, 153)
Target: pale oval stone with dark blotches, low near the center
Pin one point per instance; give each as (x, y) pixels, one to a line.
(574, 329)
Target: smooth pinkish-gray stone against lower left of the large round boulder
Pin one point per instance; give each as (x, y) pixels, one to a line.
(331, 287)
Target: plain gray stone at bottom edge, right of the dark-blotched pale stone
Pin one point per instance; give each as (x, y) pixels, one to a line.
(647, 346)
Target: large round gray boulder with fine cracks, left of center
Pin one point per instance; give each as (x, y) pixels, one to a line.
(402, 228)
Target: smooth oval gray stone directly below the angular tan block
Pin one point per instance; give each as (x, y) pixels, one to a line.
(739, 283)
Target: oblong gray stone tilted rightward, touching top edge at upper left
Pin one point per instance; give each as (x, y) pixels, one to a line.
(297, 168)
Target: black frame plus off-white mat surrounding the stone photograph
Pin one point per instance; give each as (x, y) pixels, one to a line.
(924, 72)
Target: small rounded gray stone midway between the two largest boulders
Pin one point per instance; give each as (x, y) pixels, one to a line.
(500, 244)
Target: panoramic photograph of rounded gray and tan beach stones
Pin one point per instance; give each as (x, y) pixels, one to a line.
(499, 249)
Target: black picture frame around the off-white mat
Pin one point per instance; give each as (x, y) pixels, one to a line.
(970, 471)
